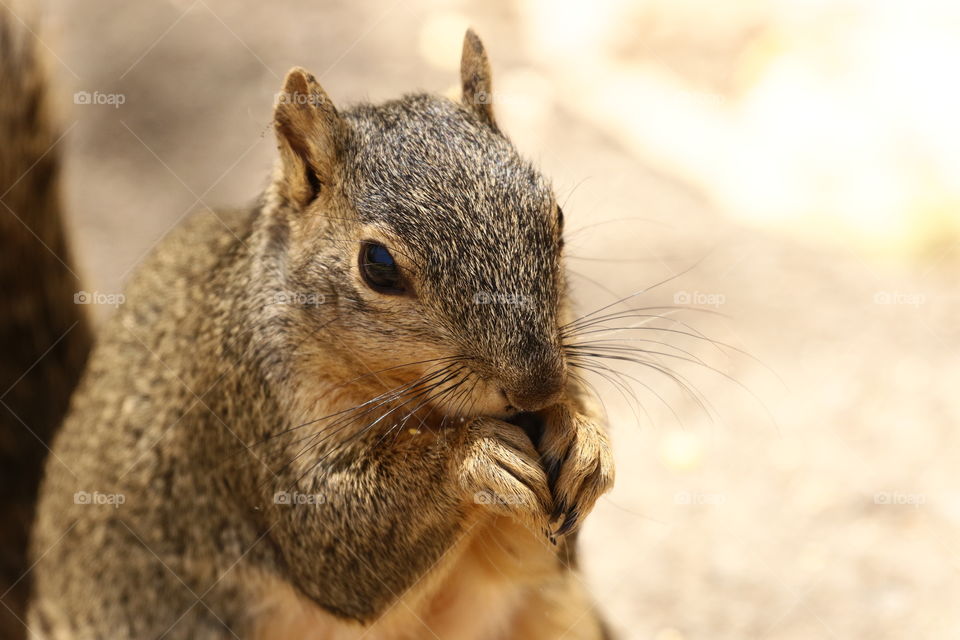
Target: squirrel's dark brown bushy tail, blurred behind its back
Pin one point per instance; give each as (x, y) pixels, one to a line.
(44, 336)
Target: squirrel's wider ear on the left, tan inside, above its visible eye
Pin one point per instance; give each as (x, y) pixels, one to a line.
(309, 131)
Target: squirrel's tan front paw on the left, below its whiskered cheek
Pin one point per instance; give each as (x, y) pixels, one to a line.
(501, 470)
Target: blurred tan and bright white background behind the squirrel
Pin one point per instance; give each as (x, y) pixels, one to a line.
(788, 169)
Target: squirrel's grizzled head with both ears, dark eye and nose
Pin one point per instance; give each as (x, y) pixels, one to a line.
(434, 247)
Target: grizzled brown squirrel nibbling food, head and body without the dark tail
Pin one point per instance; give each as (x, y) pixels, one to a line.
(346, 412)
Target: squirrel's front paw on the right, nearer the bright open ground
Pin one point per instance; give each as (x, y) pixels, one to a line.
(578, 460)
